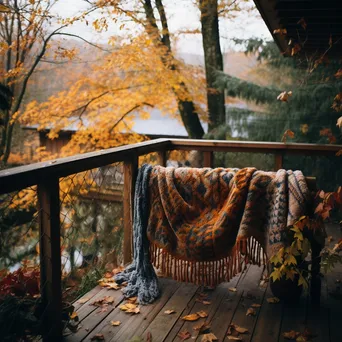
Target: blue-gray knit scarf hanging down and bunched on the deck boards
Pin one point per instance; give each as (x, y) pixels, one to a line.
(140, 275)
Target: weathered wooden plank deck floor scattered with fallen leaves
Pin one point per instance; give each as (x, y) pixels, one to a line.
(226, 307)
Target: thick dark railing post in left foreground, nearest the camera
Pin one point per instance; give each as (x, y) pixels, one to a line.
(50, 258)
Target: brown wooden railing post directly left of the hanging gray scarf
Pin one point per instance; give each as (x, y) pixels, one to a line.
(130, 173)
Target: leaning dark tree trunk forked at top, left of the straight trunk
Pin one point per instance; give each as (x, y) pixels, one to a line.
(187, 108)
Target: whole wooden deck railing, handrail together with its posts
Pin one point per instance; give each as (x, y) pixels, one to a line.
(46, 176)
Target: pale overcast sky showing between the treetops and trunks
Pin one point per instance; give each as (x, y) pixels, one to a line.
(182, 15)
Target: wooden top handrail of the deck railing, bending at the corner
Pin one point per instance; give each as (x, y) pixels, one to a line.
(24, 176)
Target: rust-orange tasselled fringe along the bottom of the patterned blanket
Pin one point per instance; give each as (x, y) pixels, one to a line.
(209, 273)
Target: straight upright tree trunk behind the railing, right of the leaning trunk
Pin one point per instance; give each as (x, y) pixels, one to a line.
(213, 61)
